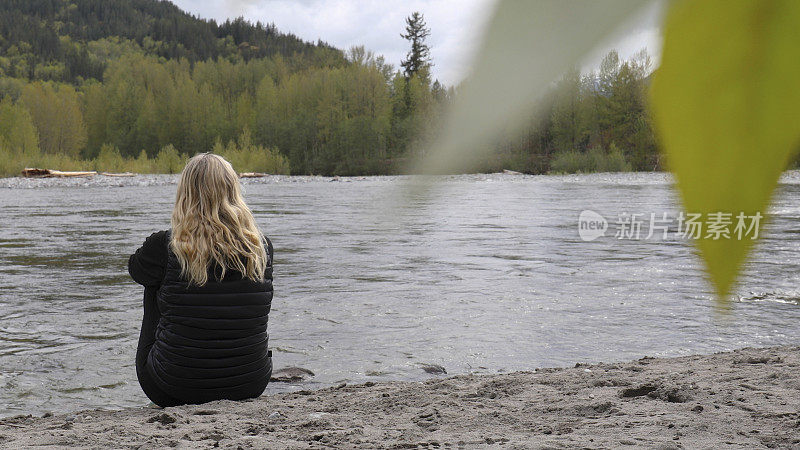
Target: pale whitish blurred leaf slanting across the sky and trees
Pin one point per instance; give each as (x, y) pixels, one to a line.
(527, 45)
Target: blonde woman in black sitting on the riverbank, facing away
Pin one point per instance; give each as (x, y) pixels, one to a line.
(208, 291)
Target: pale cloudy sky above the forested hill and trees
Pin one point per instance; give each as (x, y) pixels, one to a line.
(456, 27)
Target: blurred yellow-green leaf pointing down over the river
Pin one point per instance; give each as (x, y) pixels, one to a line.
(726, 100)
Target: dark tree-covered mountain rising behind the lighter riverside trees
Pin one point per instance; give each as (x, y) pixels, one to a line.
(72, 40)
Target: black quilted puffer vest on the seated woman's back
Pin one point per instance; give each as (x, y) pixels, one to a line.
(211, 342)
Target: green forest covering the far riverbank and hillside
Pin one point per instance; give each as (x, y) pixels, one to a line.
(139, 85)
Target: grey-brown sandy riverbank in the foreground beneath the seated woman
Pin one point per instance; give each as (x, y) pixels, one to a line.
(748, 398)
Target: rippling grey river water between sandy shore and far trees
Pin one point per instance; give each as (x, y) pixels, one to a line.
(377, 276)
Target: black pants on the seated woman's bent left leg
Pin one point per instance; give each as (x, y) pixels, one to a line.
(146, 339)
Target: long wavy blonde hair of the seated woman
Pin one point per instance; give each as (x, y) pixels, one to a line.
(212, 223)
